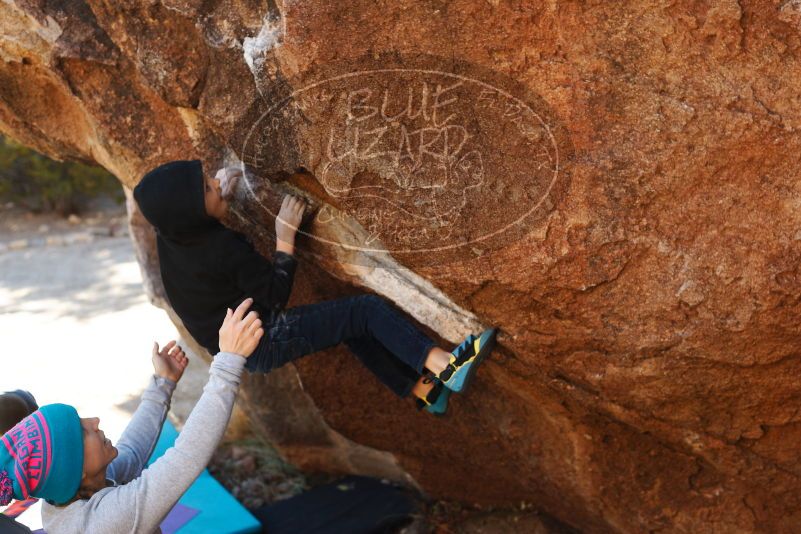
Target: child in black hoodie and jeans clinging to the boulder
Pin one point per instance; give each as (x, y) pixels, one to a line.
(207, 268)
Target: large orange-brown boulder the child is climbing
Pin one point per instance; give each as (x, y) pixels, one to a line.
(617, 185)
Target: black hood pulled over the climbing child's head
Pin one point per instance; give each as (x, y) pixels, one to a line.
(172, 199)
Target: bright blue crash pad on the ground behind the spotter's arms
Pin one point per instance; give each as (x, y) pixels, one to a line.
(218, 511)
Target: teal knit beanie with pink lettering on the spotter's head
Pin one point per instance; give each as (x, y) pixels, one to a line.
(42, 456)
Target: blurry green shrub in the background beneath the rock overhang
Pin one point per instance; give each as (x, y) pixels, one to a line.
(41, 184)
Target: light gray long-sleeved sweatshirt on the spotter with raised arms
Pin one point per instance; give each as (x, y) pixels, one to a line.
(138, 500)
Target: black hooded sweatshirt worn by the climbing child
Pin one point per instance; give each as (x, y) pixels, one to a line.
(206, 267)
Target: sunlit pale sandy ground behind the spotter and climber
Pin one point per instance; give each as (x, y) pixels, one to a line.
(76, 325)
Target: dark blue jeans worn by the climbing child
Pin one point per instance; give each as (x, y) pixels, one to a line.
(388, 344)
